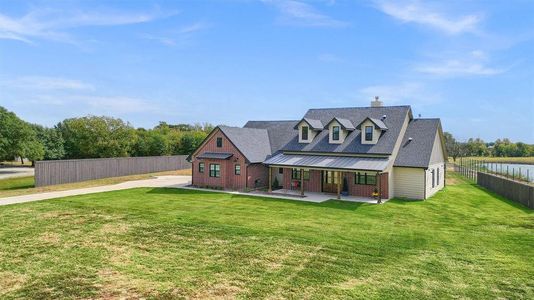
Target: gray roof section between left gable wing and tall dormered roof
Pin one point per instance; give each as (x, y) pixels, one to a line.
(280, 132)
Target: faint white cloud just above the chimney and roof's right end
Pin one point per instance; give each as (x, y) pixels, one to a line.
(405, 93)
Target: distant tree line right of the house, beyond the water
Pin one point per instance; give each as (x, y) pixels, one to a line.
(477, 147)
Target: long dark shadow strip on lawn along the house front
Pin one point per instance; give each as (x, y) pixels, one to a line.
(335, 204)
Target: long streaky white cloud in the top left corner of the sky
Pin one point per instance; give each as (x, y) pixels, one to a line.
(53, 24)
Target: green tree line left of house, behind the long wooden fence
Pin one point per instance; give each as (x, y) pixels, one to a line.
(94, 137)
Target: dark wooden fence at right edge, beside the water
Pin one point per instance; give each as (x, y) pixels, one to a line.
(513, 190)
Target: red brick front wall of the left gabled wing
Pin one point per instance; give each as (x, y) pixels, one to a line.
(228, 179)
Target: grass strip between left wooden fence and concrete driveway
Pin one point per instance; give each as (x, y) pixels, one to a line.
(26, 185)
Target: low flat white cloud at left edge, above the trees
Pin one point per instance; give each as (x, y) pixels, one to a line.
(45, 83)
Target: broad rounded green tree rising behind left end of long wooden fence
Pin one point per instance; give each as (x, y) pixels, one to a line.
(96, 137)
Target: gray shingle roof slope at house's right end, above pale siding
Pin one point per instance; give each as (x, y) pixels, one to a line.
(417, 152)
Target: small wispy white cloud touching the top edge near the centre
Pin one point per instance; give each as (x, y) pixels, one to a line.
(302, 14)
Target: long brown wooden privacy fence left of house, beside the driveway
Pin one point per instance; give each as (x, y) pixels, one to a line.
(52, 172)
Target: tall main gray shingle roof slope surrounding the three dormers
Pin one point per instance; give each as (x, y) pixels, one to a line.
(395, 118)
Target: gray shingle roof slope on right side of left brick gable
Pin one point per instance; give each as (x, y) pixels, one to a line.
(253, 143)
